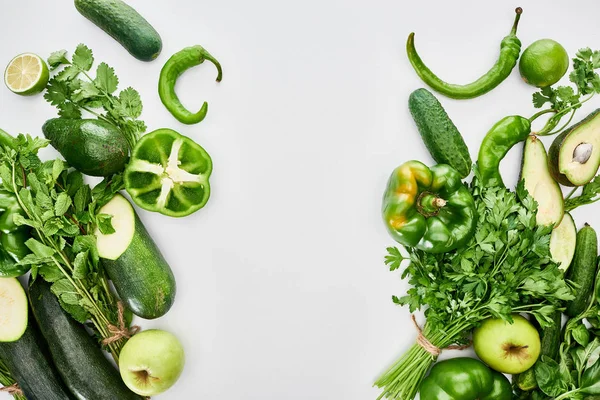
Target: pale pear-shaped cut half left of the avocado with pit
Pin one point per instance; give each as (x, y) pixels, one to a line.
(540, 184)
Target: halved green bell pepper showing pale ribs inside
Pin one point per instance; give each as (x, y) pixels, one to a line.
(168, 173)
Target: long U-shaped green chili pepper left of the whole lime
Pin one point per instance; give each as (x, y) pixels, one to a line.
(510, 49)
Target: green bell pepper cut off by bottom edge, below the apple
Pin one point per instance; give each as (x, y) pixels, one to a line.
(465, 379)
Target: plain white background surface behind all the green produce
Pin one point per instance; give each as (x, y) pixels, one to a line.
(282, 291)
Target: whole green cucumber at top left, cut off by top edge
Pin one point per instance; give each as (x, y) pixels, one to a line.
(125, 25)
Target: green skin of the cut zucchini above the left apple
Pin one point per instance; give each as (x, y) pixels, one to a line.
(142, 276)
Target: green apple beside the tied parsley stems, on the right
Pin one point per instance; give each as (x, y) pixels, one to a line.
(505, 347)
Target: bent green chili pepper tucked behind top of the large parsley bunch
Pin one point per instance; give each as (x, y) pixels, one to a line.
(497, 142)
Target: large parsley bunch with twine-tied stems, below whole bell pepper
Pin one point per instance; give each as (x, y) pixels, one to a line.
(506, 268)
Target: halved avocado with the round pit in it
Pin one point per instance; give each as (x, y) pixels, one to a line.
(575, 154)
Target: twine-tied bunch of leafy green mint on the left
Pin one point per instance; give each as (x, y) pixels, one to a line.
(62, 212)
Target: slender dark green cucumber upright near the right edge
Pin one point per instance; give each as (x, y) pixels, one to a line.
(583, 270)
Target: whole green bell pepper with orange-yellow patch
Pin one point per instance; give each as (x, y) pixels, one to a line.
(429, 209)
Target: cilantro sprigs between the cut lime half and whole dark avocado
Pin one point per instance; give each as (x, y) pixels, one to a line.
(71, 94)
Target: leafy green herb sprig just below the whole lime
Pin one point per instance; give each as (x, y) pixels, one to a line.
(565, 100)
